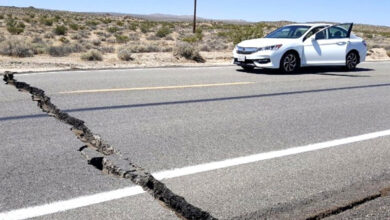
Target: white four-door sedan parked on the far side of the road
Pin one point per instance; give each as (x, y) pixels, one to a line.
(293, 46)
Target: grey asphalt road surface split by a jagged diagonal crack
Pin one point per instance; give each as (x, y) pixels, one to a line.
(163, 129)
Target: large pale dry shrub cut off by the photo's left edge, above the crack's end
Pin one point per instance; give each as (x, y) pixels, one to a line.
(16, 47)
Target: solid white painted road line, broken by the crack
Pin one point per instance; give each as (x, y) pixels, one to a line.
(83, 201)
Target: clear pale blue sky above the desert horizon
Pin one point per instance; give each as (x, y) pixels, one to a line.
(375, 12)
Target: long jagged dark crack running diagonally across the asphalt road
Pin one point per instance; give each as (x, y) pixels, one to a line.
(136, 174)
